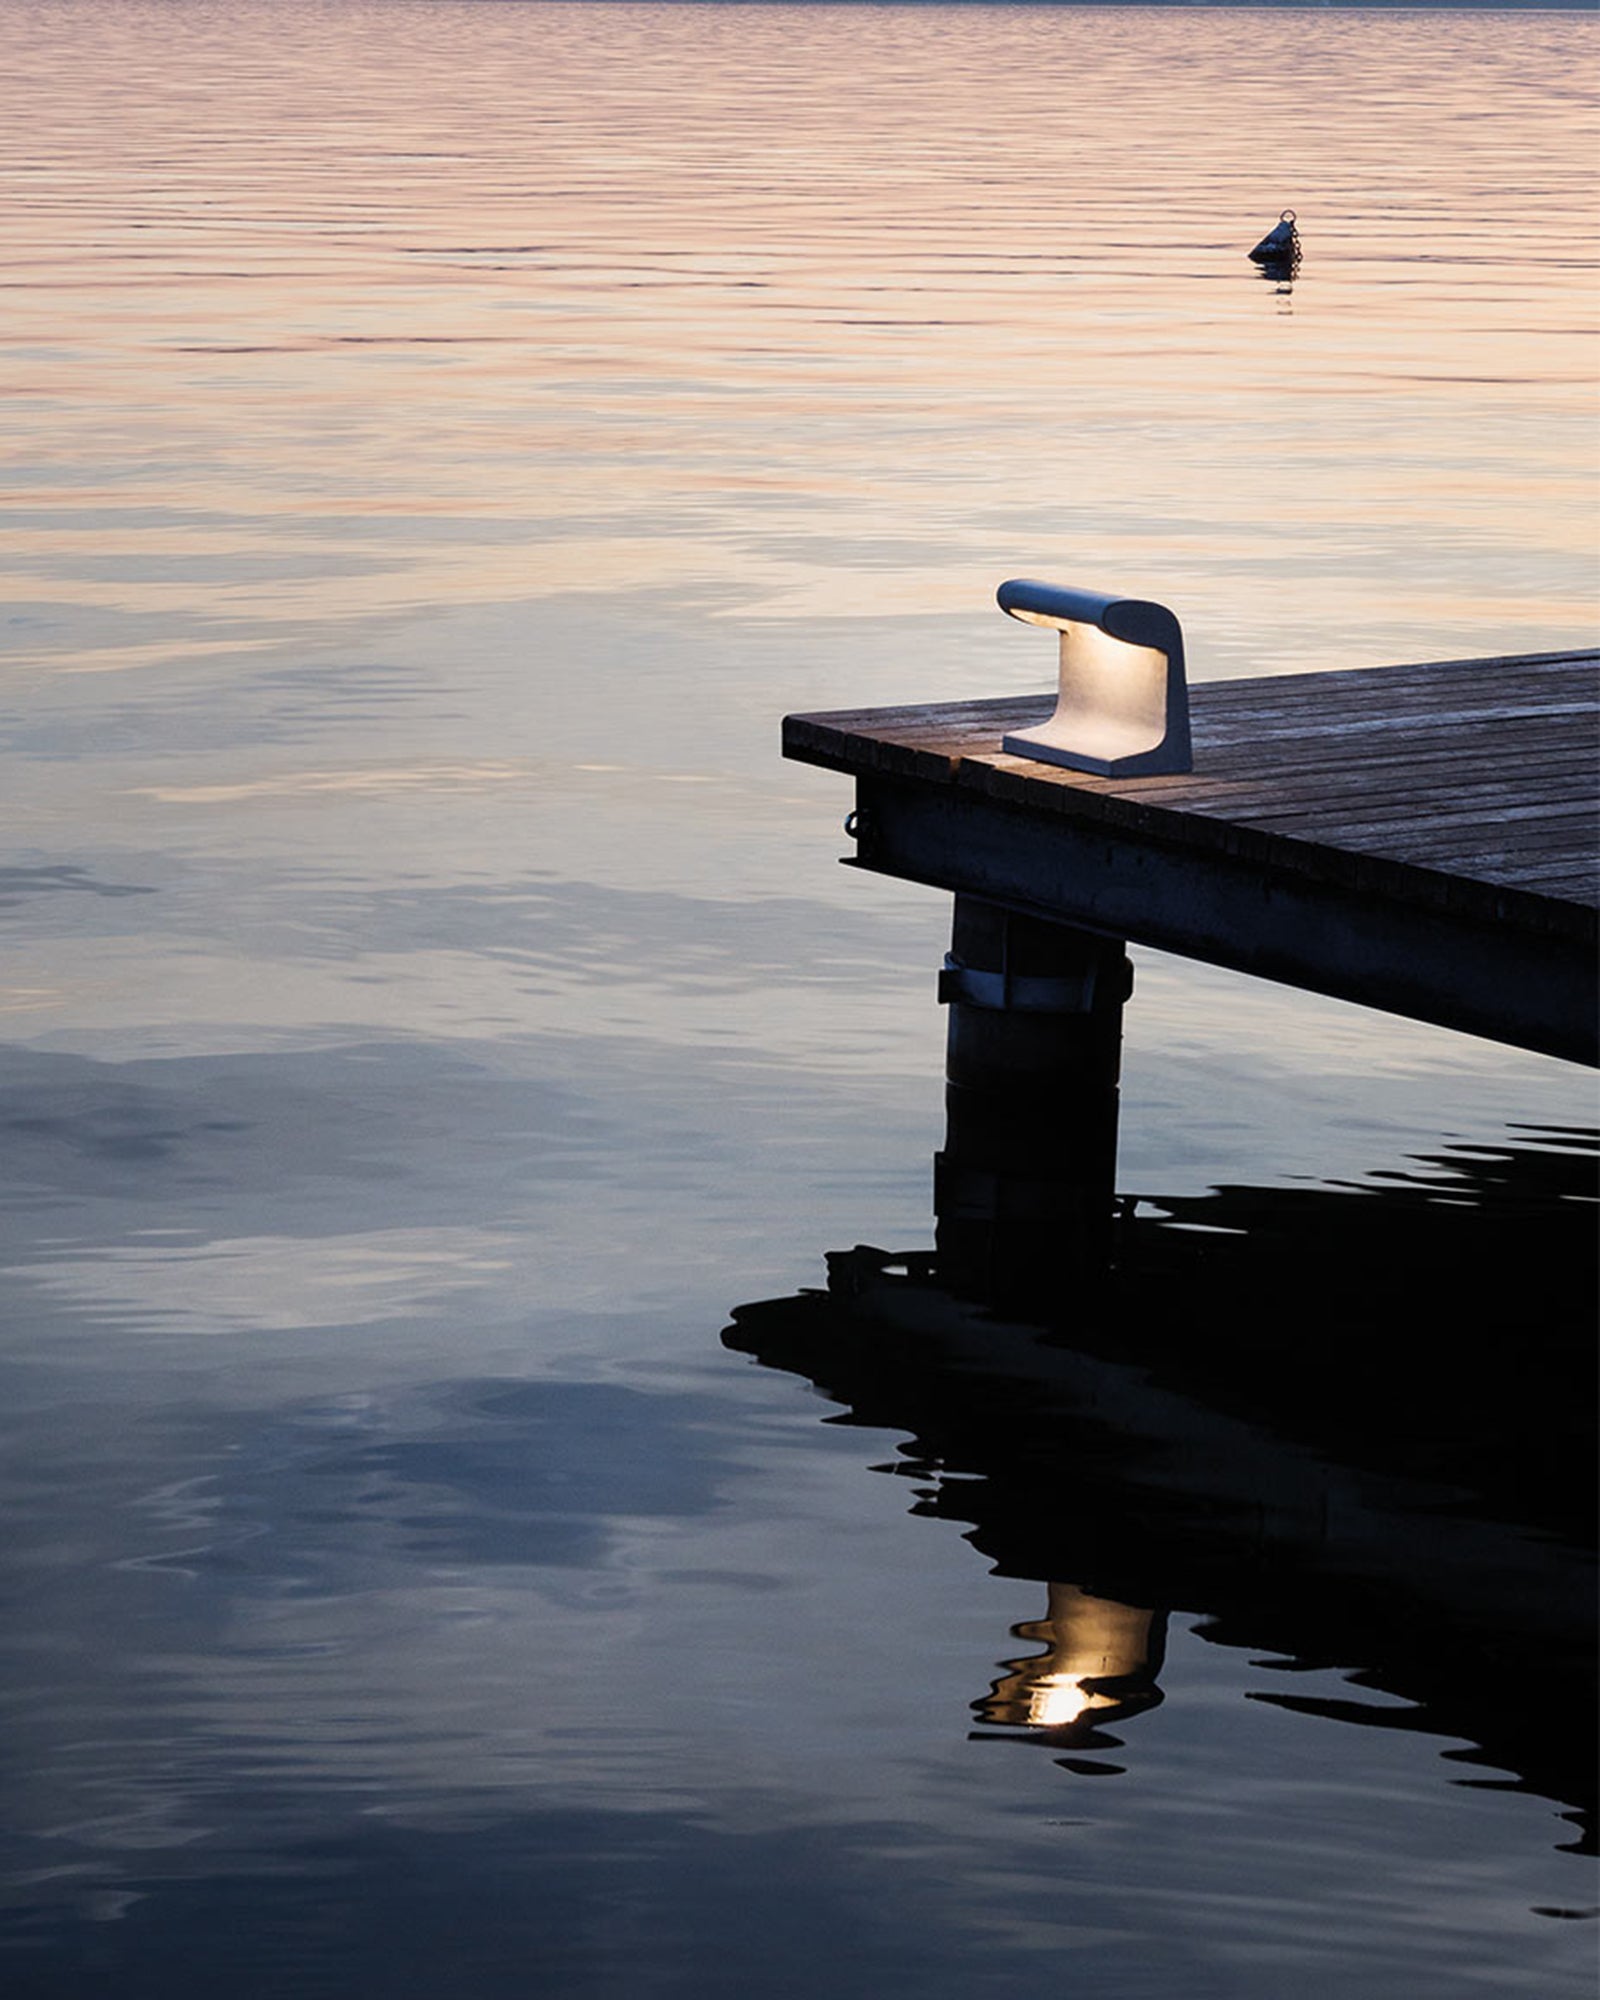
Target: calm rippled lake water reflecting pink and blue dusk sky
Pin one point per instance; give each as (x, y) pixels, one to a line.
(445, 441)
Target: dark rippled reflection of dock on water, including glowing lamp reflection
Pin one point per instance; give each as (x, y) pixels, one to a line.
(1211, 1431)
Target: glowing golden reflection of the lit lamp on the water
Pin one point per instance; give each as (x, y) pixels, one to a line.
(1101, 1663)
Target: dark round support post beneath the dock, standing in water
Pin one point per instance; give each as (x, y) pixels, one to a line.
(1025, 1189)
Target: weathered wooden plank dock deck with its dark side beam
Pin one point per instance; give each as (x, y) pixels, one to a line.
(1417, 839)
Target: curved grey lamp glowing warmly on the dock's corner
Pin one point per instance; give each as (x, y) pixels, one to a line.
(1123, 703)
